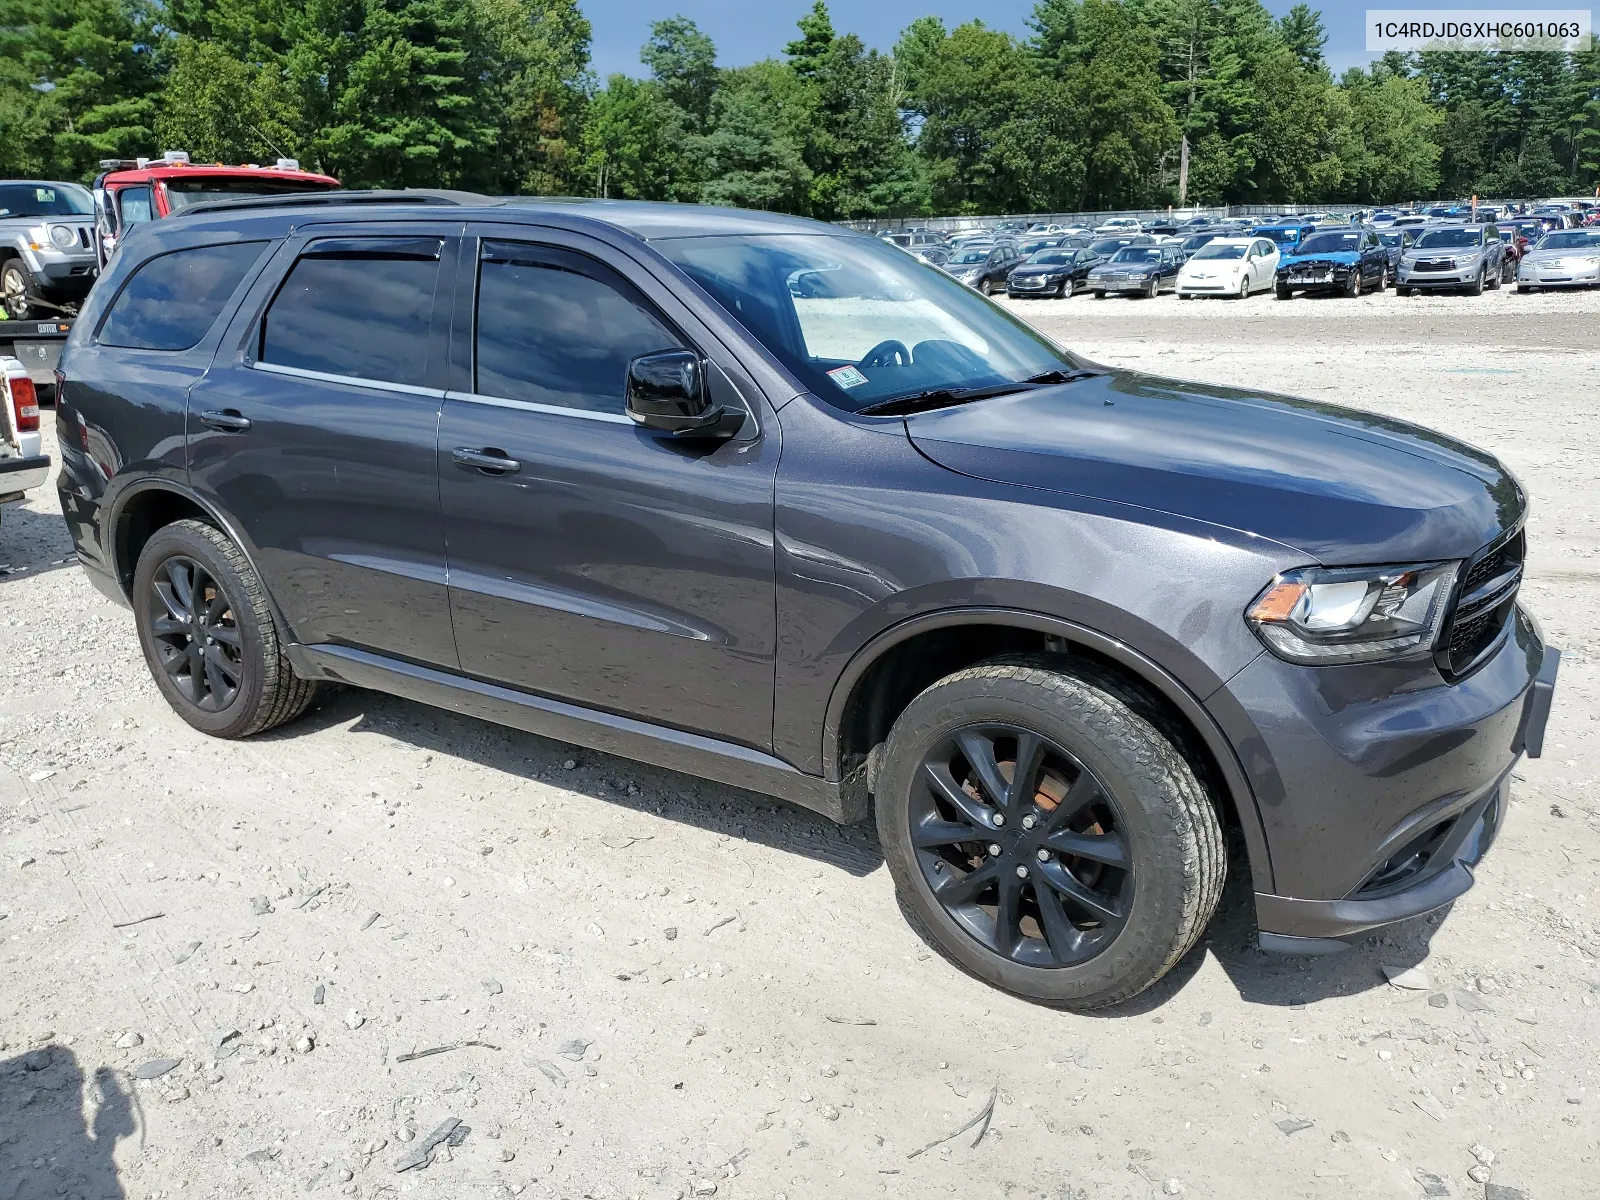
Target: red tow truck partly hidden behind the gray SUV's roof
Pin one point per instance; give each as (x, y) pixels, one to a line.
(132, 191)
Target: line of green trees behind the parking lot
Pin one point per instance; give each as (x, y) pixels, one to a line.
(1105, 105)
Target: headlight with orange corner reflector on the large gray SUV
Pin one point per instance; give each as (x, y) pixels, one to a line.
(1353, 615)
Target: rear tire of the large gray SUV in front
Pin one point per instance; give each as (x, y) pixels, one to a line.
(266, 690)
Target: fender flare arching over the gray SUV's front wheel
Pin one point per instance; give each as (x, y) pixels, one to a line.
(1137, 663)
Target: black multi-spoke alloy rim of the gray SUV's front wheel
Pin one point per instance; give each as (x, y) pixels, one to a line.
(1022, 846)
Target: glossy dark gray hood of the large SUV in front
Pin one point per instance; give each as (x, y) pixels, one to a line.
(1340, 486)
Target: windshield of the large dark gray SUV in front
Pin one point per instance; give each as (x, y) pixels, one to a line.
(886, 329)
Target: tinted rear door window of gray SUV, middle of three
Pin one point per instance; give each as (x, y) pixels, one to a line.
(356, 306)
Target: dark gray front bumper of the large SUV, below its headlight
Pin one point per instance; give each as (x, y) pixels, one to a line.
(1380, 791)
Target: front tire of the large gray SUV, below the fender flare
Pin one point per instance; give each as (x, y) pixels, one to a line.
(1145, 799)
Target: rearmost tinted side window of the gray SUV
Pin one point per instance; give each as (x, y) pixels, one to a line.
(172, 300)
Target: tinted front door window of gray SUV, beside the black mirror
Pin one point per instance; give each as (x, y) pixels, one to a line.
(559, 330)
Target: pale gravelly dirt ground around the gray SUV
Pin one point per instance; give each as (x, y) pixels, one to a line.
(652, 986)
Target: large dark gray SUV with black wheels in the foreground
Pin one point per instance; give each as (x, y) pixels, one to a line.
(777, 505)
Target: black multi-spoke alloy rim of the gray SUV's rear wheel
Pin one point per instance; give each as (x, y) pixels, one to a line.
(196, 634)
